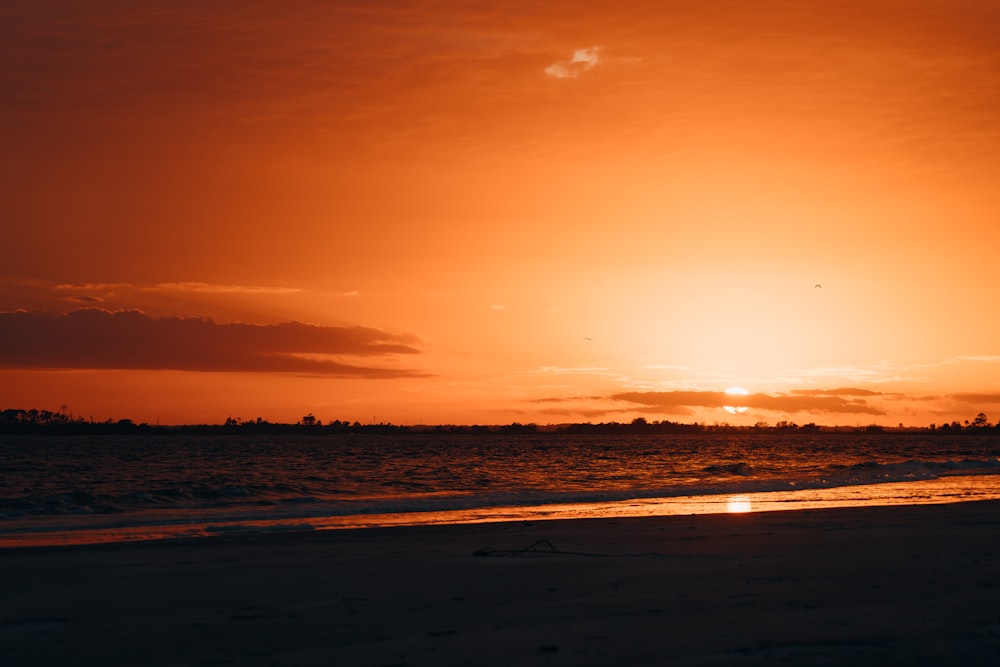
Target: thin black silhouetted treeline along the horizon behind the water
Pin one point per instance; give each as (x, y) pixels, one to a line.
(45, 421)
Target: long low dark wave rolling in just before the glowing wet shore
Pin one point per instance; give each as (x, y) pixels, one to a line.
(296, 500)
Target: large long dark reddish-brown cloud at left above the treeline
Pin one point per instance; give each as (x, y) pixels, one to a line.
(100, 339)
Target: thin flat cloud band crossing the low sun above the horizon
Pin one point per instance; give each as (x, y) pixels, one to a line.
(681, 402)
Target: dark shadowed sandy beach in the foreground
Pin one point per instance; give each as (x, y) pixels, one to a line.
(872, 586)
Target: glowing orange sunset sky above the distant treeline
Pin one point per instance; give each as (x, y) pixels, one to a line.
(447, 212)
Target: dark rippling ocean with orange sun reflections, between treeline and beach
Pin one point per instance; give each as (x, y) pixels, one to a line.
(72, 489)
